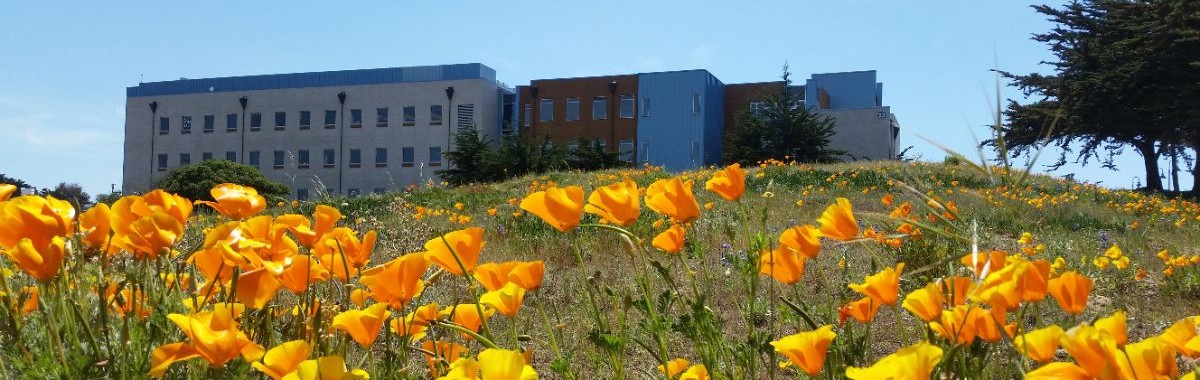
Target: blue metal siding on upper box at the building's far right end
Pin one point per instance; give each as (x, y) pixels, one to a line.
(847, 91)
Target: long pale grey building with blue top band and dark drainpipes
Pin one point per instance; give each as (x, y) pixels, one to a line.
(344, 132)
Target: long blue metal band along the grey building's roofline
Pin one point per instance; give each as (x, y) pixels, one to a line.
(315, 80)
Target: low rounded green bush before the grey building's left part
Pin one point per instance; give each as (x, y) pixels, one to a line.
(196, 180)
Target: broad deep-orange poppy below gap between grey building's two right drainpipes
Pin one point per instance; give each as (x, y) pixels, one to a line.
(399, 281)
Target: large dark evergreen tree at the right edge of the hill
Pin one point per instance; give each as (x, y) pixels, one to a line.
(1127, 75)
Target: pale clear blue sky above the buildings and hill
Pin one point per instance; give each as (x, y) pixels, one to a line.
(64, 68)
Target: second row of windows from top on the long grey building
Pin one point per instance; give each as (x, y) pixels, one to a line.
(303, 159)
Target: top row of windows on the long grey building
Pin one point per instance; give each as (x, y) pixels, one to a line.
(305, 120)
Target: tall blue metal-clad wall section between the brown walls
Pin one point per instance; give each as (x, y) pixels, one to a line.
(671, 128)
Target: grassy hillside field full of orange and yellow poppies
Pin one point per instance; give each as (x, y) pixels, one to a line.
(779, 272)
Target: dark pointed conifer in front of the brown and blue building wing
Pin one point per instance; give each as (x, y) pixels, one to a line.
(783, 130)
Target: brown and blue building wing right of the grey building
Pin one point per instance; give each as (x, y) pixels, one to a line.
(680, 119)
